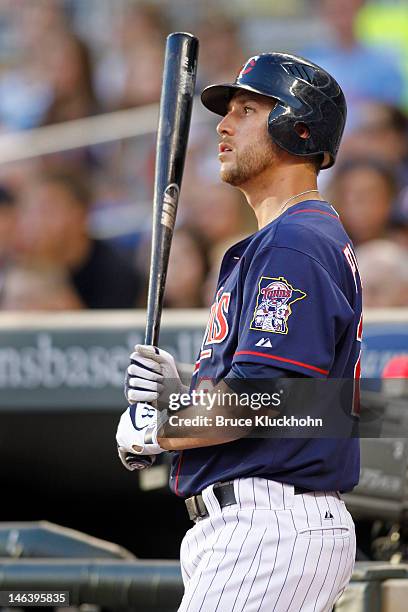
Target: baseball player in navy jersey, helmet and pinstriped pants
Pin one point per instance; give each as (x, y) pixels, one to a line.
(270, 532)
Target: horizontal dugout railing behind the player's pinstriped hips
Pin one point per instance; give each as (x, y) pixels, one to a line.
(145, 586)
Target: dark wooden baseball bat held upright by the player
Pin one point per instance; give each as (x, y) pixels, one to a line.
(176, 103)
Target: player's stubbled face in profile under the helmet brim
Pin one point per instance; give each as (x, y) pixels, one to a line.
(246, 149)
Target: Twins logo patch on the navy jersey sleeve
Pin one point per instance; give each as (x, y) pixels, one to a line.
(273, 304)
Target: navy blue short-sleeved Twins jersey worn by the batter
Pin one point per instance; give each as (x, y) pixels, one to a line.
(288, 300)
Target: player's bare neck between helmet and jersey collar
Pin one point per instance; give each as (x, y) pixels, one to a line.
(271, 194)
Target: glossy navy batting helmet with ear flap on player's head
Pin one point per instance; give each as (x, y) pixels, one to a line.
(305, 94)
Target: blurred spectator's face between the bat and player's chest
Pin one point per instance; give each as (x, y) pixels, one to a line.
(188, 267)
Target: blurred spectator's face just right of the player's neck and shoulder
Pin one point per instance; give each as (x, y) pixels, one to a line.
(362, 192)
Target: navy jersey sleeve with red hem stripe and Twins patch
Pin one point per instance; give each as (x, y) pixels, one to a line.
(293, 313)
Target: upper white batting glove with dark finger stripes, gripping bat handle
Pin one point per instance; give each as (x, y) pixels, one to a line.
(152, 376)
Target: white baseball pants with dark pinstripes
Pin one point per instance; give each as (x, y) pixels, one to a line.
(271, 552)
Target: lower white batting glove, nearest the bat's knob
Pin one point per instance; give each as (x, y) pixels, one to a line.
(137, 431)
